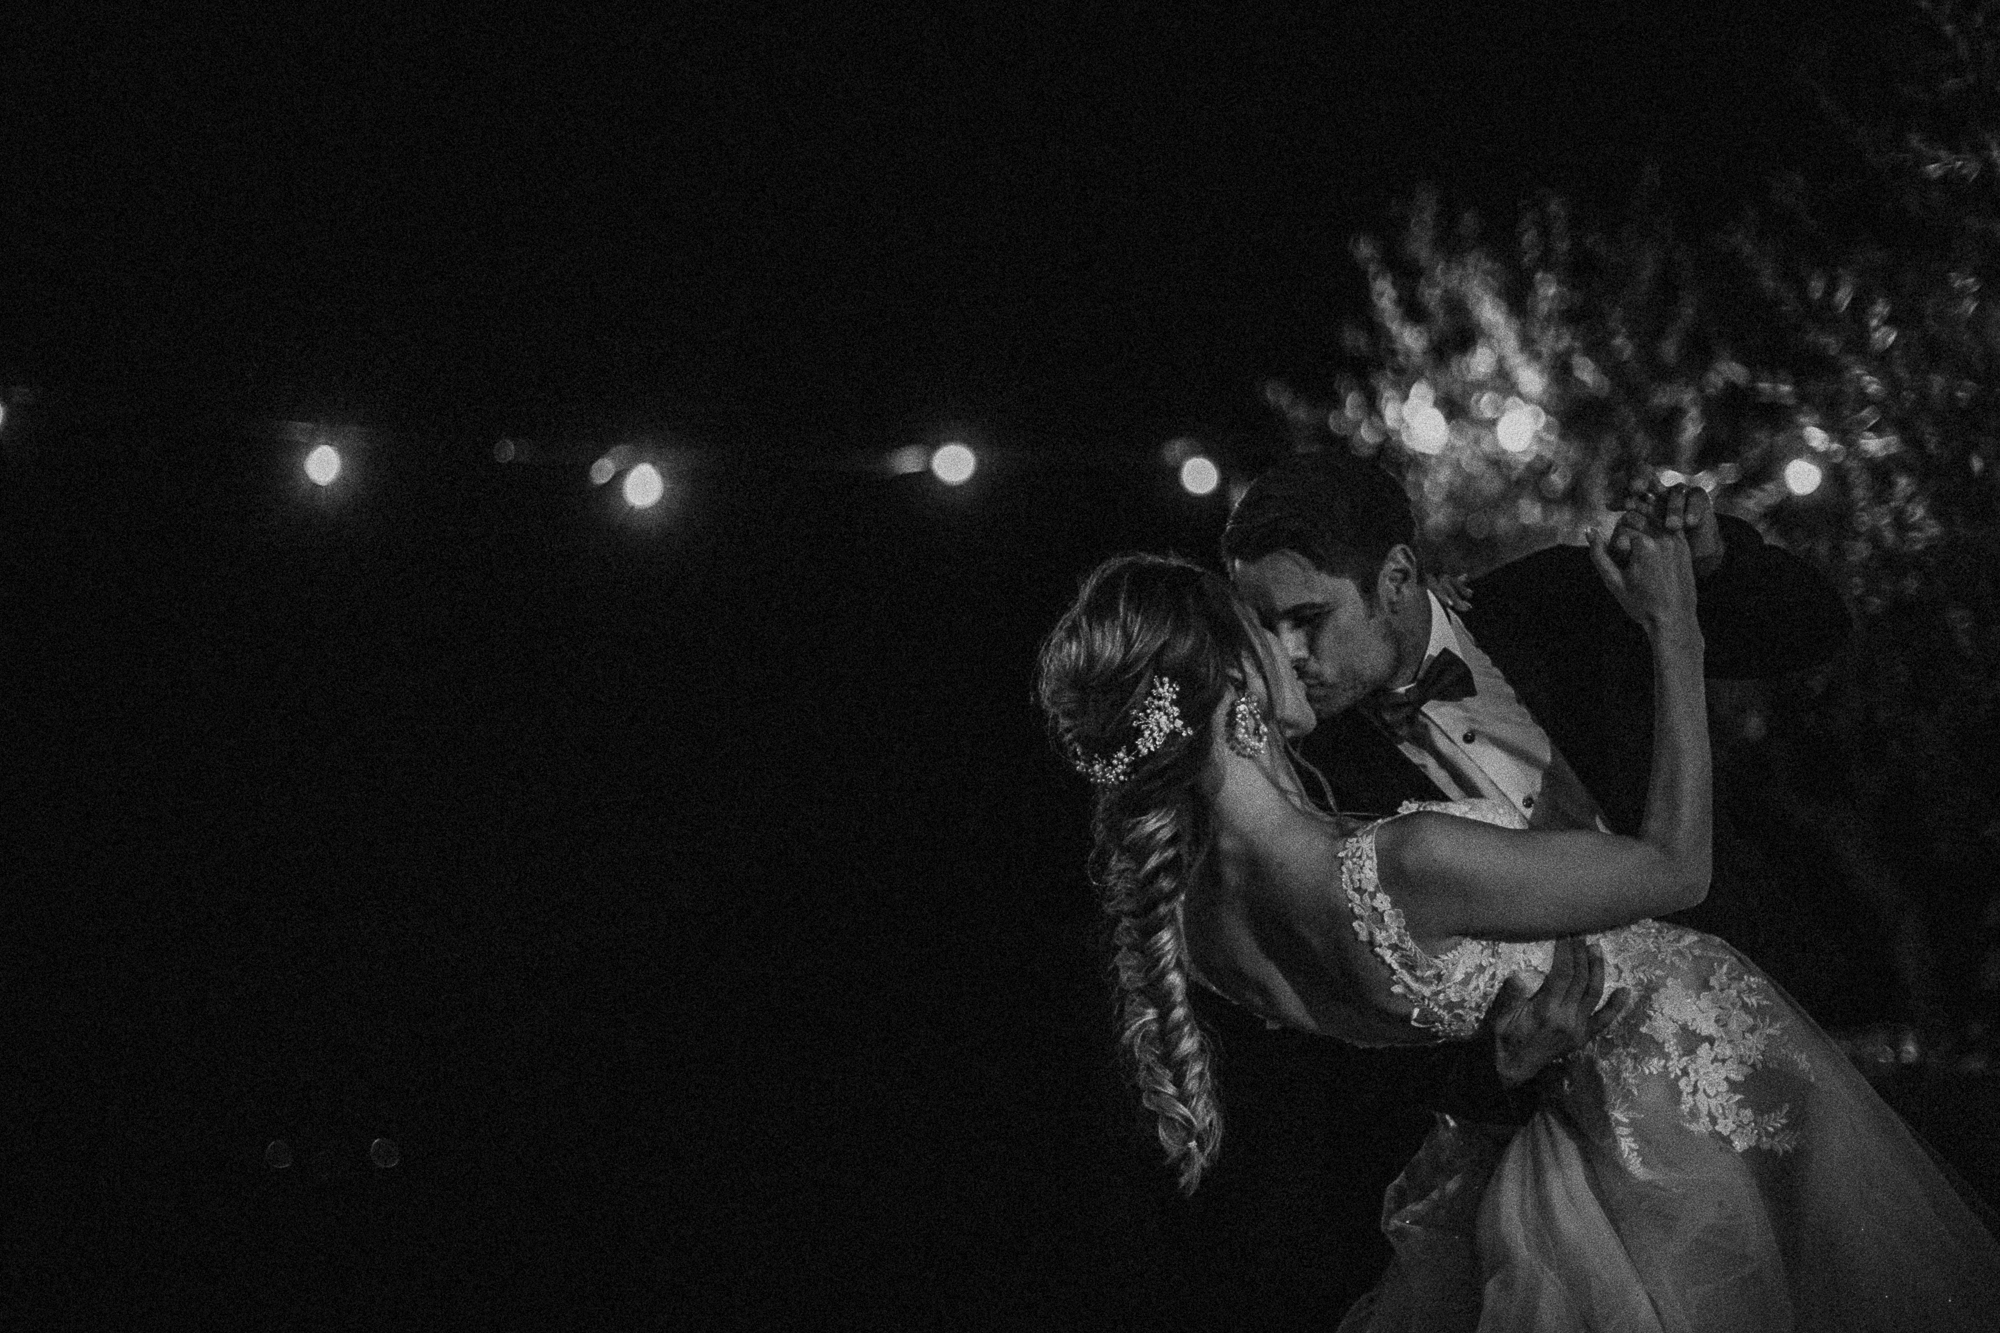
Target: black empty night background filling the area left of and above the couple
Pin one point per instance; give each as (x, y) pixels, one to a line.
(691, 898)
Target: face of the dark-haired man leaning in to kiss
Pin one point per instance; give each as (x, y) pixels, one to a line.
(1339, 643)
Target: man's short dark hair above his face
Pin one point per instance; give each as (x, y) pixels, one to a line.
(1339, 511)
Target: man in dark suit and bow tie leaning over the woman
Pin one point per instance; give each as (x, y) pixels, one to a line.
(1541, 694)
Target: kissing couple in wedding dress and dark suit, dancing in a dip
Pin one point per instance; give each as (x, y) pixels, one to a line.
(1365, 812)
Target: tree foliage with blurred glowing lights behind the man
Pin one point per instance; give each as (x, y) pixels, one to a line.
(1829, 367)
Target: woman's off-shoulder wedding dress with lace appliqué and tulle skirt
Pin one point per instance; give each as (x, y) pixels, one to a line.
(1711, 1164)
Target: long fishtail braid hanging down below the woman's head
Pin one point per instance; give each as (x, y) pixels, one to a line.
(1145, 864)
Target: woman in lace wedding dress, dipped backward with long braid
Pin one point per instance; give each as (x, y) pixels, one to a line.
(1707, 1164)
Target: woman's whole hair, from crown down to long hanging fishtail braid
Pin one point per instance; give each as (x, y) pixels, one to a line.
(1137, 621)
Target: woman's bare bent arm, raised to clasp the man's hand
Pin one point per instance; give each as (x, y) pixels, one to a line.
(1463, 878)
